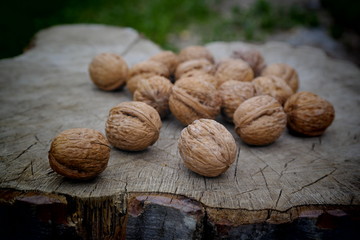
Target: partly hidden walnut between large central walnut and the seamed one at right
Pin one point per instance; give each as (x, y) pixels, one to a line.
(233, 93)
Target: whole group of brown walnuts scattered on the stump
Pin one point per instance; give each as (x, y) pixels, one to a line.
(259, 100)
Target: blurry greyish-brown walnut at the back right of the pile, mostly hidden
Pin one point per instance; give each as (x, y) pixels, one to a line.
(253, 57)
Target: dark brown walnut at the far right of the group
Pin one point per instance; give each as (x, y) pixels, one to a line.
(308, 114)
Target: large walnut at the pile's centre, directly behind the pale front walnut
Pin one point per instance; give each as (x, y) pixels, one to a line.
(192, 99)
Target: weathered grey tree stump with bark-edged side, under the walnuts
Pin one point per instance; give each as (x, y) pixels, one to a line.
(48, 89)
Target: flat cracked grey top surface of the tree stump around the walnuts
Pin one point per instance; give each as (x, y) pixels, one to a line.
(47, 90)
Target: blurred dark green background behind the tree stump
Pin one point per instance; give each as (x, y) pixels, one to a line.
(163, 21)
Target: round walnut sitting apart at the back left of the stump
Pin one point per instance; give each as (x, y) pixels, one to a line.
(108, 71)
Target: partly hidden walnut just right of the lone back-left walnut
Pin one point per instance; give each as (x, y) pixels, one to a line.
(145, 70)
